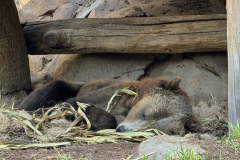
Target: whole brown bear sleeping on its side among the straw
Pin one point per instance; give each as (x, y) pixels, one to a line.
(160, 102)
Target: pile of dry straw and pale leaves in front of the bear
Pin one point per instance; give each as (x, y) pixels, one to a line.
(20, 130)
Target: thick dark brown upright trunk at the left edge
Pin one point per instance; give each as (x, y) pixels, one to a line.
(14, 65)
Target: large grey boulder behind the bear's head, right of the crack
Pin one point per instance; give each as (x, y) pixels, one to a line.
(203, 75)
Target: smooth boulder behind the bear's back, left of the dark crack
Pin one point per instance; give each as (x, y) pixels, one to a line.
(100, 66)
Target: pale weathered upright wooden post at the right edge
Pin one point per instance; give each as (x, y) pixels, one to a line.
(233, 37)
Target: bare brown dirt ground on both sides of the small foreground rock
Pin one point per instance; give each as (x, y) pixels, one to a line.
(119, 150)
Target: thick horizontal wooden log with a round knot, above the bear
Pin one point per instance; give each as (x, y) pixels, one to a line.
(173, 34)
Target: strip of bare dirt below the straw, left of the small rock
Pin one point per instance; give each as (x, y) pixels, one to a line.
(119, 150)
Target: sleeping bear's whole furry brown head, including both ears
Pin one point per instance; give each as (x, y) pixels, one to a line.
(172, 114)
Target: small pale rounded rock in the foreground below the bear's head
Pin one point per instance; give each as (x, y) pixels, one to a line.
(161, 146)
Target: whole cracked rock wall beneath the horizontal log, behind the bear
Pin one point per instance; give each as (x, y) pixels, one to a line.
(204, 75)
